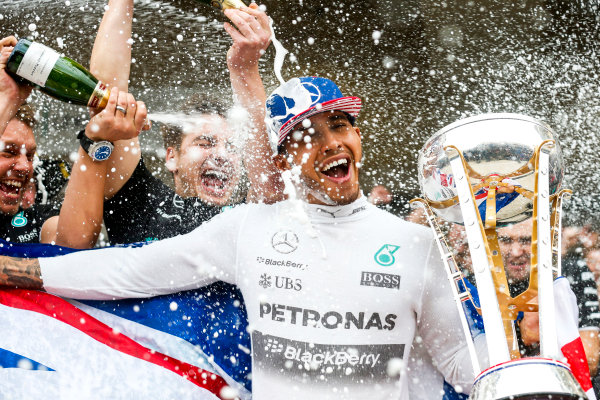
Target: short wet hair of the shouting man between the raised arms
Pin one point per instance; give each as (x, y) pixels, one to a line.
(195, 104)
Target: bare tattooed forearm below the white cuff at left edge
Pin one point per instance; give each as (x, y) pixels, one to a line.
(23, 273)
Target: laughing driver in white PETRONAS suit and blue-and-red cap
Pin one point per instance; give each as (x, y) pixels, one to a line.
(337, 290)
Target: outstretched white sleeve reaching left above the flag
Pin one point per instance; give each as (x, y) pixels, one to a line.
(184, 262)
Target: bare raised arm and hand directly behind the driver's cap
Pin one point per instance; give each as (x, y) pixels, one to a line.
(250, 40)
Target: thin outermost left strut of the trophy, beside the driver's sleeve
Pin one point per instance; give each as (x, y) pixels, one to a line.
(454, 277)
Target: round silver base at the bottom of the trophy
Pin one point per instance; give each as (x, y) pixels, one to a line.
(527, 379)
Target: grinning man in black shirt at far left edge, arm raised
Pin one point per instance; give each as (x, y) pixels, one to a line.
(19, 221)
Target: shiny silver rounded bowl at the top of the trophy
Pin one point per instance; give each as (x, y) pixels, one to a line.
(494, 146)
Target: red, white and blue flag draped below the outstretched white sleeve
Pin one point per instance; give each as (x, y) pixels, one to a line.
(54, 348)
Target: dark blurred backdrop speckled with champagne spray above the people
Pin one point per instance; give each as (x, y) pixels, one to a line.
(435, 62)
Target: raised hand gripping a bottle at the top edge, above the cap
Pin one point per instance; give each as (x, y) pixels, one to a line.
(250, 39)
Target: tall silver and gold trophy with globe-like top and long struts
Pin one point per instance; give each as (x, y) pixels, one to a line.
(485, 172)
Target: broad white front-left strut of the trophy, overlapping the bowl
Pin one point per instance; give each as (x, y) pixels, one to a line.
(482, 264)
